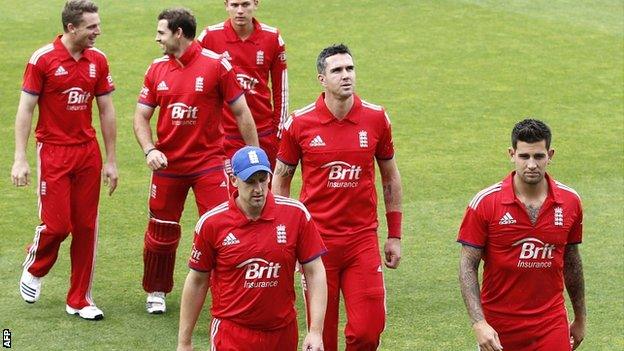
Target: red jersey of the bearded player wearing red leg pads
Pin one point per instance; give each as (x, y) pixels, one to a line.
(190, 92)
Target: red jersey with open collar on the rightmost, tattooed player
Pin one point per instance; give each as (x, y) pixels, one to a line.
(523, 262)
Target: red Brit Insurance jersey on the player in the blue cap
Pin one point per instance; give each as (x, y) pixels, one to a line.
(253, 262)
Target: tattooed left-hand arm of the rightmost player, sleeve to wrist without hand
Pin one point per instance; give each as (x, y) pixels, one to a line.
(469, 282)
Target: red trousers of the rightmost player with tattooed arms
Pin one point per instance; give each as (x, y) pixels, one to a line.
(550, 333)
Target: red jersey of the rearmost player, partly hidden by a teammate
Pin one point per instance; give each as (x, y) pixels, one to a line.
(254, 58)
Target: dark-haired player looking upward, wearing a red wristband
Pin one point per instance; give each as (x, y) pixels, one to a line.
(337, 140)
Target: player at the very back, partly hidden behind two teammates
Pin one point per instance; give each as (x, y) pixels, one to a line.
(258, 54)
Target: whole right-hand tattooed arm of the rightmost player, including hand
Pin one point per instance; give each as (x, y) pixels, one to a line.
(575, 285)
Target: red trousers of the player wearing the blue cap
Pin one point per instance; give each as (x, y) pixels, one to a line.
(229, 336)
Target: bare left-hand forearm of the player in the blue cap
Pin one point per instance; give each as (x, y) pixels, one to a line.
(193, 296)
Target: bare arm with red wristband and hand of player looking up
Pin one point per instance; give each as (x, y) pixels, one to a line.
(393, 198)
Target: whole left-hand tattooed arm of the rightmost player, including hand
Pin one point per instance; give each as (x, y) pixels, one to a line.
(469, 261)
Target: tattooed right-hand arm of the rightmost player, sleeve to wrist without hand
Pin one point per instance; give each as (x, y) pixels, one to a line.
(574, 281)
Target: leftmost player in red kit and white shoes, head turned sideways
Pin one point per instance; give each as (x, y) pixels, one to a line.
(63, 78)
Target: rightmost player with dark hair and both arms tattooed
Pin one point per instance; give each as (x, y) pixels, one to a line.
(526, 229)
